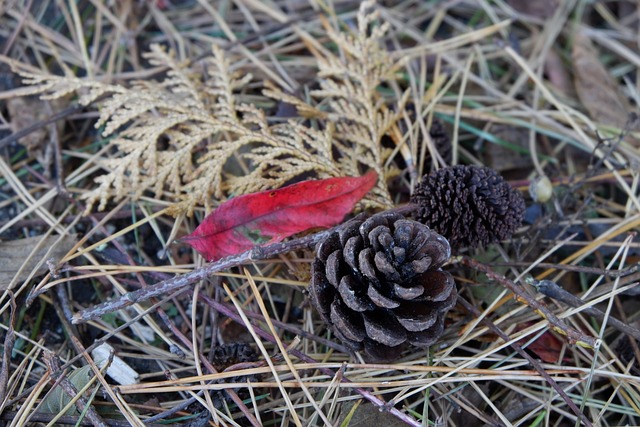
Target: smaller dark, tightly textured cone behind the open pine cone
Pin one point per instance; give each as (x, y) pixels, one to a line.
(470, 205)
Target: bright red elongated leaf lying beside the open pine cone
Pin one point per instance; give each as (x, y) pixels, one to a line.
(270, 216)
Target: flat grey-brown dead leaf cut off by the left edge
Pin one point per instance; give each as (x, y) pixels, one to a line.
(15, 259)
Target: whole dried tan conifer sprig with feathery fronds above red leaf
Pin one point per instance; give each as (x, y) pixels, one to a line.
(189, 136)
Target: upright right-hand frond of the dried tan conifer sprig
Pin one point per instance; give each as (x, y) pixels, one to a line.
(348, 86)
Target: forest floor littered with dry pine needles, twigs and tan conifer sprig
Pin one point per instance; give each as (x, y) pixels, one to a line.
(124, 124)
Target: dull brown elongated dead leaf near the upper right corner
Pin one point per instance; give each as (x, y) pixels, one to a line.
(597, 90)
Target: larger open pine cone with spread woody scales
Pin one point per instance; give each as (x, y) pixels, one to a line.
(378, 284)
